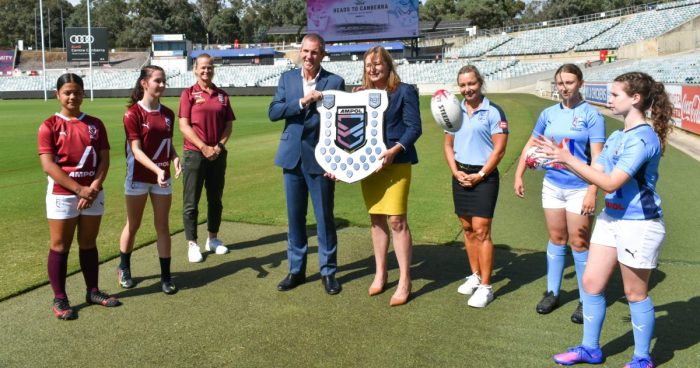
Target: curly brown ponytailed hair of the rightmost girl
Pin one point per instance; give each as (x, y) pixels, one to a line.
(654, 97)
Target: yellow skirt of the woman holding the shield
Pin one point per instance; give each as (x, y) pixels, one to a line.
(386, 192)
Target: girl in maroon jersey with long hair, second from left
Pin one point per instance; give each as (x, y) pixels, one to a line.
(149, 151)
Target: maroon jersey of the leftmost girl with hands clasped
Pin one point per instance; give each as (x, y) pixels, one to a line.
(75, 144)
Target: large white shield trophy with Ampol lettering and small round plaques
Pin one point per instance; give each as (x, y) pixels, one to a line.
(352, 133)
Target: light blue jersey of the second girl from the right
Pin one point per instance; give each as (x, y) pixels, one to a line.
(583, 124)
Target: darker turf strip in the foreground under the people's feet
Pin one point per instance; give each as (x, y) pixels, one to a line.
(228, 313)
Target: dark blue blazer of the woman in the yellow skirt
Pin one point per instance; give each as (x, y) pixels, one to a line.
(402, 123)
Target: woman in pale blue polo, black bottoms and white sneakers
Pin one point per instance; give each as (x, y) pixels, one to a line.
(473, 154)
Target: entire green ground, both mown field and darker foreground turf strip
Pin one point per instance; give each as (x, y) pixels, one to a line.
(229, 314)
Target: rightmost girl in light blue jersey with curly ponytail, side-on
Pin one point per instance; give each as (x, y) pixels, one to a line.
(630, 230)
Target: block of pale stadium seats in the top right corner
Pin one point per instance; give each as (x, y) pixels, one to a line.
(641, 26)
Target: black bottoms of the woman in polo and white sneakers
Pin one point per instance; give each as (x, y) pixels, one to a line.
(479, 201)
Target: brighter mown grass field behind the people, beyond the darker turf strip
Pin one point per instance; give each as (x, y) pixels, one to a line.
(254, 193)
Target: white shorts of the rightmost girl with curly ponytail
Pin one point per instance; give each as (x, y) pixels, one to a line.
(638, 242)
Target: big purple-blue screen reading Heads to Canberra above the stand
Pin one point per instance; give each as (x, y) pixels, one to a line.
(348, 20)
